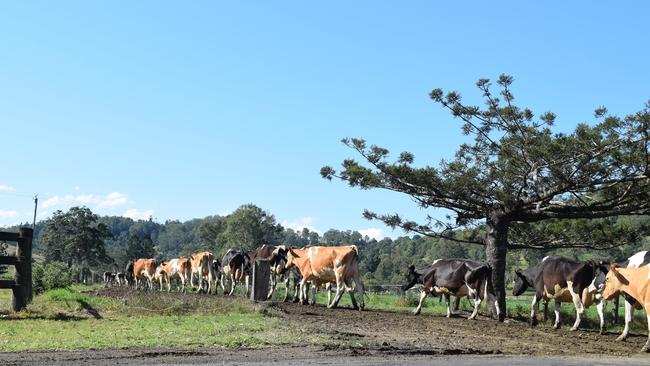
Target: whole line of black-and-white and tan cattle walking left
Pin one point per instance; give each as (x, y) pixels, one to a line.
(555, 278)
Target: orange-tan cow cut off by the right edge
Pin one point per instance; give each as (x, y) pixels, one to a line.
(635, 282)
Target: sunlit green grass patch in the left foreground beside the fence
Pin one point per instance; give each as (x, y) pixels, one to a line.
(66, 319)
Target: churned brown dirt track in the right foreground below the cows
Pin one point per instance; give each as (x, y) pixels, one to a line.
(402, 333)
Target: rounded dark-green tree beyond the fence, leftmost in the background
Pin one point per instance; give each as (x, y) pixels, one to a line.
(75, 238)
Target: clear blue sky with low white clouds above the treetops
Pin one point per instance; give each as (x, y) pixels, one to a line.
(187, 109)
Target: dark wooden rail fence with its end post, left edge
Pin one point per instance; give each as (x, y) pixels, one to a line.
(21, 285)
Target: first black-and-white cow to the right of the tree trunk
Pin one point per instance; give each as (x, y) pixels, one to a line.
(564, 280)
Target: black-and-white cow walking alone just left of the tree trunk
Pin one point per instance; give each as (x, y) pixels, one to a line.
(458, 277)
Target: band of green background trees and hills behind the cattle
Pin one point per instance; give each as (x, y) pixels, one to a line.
(80, 239)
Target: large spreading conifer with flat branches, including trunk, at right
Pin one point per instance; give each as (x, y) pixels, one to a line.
(514, 174)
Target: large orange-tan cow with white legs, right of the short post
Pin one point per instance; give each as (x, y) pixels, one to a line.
(320, 265)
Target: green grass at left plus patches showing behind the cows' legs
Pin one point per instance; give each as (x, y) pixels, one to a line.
(74, 318)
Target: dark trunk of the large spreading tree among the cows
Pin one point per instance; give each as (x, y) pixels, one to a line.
(496, 248)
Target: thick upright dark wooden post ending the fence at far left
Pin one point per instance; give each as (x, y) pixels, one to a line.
(22, 290)
